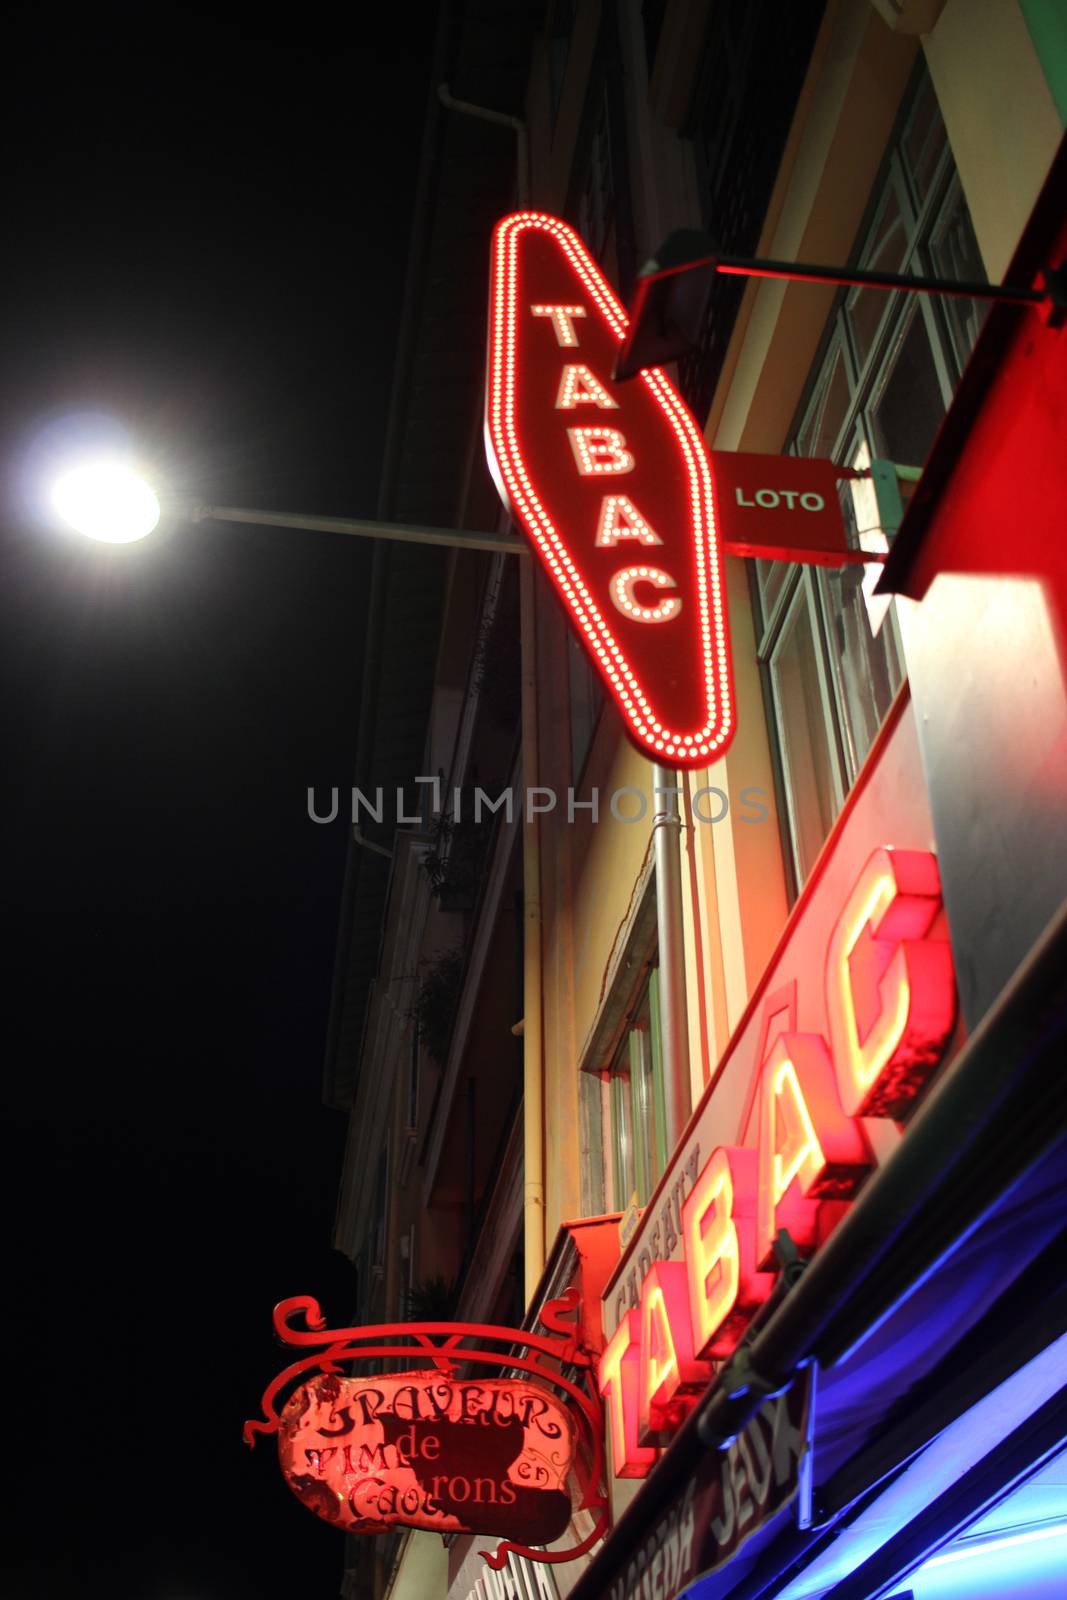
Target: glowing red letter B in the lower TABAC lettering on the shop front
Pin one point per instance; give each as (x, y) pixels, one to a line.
(719, 1238)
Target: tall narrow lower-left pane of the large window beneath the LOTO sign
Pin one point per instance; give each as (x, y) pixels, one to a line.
(802, 719)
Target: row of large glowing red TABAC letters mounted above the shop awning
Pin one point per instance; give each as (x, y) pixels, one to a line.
(890, 1007)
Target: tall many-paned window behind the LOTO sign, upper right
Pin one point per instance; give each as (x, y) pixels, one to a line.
(879, 390)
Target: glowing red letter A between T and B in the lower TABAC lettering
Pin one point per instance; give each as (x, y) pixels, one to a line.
(669, 1370)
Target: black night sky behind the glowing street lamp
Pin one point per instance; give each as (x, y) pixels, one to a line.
(206, 228)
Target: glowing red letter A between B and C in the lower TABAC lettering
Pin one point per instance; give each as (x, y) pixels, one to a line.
(810, 1151)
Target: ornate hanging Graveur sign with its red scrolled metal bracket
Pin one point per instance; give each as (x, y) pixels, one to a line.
(446, 1447)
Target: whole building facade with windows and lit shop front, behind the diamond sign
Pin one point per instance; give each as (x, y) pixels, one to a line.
(567, 1007)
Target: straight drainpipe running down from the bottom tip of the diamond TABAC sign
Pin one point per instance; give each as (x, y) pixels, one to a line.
(673, 990)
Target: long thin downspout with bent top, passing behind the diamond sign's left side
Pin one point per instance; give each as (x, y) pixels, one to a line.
(533, 1052)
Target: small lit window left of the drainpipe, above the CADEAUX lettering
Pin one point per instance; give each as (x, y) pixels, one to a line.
(636, 1134)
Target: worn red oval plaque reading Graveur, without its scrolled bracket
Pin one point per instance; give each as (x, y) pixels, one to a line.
(428, 1452)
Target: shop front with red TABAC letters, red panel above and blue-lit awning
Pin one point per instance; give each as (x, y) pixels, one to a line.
(836, 1346)
